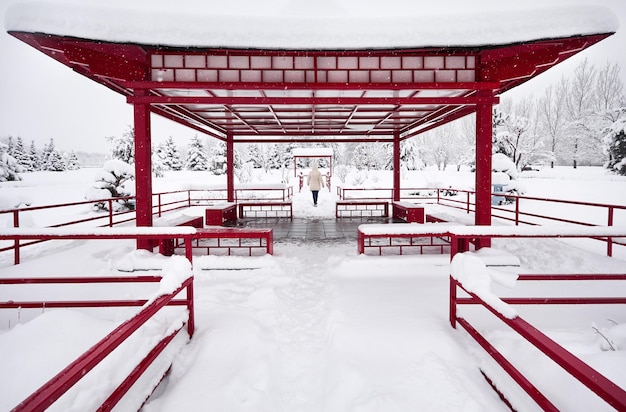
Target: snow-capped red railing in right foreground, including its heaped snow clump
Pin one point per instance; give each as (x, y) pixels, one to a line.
(470, 275)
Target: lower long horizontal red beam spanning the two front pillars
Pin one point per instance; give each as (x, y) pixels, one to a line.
(354, 101)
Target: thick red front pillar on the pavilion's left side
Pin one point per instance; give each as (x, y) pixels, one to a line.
(143, 167)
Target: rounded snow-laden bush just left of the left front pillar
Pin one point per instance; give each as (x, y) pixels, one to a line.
(113, 181)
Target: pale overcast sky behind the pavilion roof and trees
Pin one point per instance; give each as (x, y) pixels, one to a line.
(42, 99)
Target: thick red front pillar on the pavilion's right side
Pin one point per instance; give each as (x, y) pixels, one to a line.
(483, 166)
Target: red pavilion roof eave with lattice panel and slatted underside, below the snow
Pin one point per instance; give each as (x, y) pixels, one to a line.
(268, 110)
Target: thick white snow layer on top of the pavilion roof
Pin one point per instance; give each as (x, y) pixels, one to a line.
(324, 25)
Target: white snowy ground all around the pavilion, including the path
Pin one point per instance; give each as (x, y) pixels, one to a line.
(316, 326)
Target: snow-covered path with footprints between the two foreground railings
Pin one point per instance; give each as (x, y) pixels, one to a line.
(321, 332)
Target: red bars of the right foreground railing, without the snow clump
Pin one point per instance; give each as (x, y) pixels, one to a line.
(589, 377)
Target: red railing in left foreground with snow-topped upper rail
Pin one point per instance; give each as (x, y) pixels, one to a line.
(52, 390)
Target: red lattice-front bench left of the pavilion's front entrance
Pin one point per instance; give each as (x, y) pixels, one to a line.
(227, 239)
